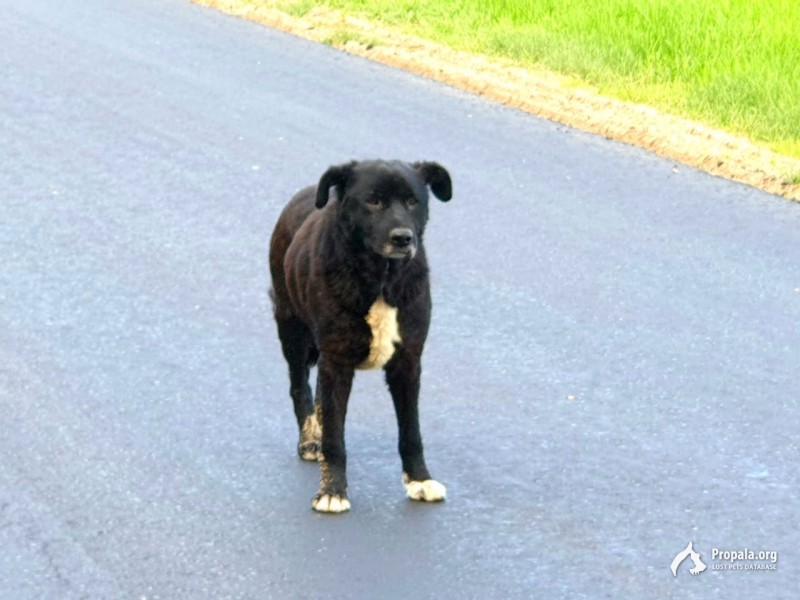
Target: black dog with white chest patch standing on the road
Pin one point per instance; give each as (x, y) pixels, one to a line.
(350, 286)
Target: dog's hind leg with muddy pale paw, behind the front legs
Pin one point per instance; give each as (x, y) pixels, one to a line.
(300, 353)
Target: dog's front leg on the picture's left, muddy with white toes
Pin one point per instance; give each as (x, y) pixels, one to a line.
(333, 390)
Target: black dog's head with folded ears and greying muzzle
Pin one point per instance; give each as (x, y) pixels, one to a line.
(383, 205)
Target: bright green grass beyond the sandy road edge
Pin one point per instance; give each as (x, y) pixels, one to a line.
(732, 63)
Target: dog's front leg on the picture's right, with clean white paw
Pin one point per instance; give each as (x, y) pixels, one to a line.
(402, 376)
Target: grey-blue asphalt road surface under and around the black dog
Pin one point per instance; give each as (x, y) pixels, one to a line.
(612, 370)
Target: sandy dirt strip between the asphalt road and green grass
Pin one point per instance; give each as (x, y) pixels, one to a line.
(543, 94)
